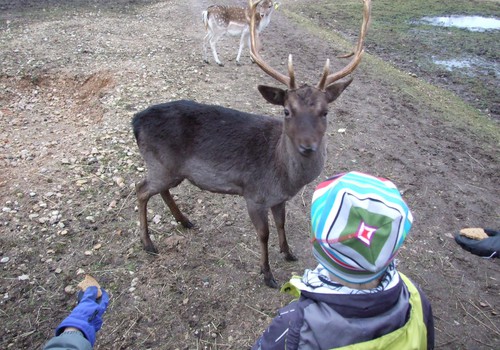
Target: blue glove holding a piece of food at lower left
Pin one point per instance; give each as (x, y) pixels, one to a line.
(87, 315)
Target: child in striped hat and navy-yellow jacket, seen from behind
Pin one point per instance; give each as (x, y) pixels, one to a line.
(355, 298)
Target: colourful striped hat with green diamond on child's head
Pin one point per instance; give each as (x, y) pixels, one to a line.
(358, 224)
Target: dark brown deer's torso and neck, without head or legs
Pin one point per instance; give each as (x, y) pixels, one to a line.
(224, 150)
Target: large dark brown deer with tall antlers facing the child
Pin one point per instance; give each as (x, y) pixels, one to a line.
(263, 159)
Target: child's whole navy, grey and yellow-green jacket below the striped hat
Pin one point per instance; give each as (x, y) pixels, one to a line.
(327, 315)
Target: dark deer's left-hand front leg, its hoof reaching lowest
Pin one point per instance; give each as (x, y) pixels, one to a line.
(258, 215)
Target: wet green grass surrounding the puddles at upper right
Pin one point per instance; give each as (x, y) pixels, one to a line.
(397, 35)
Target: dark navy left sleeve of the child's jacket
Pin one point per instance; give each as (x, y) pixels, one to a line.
(284, 330)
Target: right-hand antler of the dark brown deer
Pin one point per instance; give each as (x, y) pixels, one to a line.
(328, 79)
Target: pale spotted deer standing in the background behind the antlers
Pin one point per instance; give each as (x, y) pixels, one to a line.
(220, 20)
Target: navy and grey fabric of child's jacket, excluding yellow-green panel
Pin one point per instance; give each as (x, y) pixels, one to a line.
(326, 321)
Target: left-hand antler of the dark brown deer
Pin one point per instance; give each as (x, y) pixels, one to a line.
(288, 81)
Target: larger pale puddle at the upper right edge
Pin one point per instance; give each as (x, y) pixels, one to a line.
(472, 23)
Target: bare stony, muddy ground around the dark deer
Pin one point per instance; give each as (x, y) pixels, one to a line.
(73, 75)
